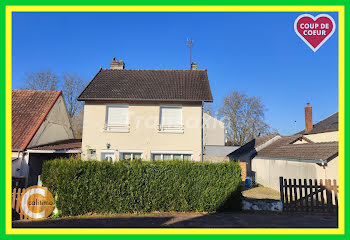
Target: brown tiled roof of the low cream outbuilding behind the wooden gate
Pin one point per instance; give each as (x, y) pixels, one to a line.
(283, 148)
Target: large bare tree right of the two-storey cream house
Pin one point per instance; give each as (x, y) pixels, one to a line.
(244, 118)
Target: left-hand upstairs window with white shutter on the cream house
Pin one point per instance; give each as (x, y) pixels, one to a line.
(117, 118)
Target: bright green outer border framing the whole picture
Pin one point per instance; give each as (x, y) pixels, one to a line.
(169, 2)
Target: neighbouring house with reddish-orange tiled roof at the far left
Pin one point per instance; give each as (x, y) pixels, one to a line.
(38, 118)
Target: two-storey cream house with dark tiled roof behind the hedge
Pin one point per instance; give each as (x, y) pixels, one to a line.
(147, 114)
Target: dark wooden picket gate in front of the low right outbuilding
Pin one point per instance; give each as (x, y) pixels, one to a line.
(299, 195)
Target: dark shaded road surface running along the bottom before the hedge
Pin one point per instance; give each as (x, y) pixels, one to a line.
(189, 220)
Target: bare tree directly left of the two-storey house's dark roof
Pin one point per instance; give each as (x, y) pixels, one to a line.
(73, 84)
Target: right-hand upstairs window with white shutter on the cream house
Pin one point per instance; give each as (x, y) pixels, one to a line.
(170, 119)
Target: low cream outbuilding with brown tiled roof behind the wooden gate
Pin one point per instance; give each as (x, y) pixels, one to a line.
(296, 161)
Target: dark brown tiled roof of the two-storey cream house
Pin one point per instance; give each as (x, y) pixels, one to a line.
(164, 85)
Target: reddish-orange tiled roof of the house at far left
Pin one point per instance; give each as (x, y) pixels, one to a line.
(29, 109)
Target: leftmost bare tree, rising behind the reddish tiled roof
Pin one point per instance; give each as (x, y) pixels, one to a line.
(42, 80)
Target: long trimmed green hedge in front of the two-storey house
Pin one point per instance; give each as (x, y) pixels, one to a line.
(142, 186)
